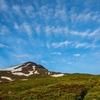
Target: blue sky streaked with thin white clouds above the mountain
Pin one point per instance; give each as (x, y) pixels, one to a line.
(62, 35)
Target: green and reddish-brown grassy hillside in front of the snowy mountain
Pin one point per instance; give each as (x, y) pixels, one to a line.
(70, 87)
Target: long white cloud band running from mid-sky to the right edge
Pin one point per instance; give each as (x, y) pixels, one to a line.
(65, 31)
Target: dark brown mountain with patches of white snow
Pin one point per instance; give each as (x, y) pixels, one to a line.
(26, 71)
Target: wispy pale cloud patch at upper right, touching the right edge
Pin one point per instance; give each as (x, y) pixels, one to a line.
(85, 16)
